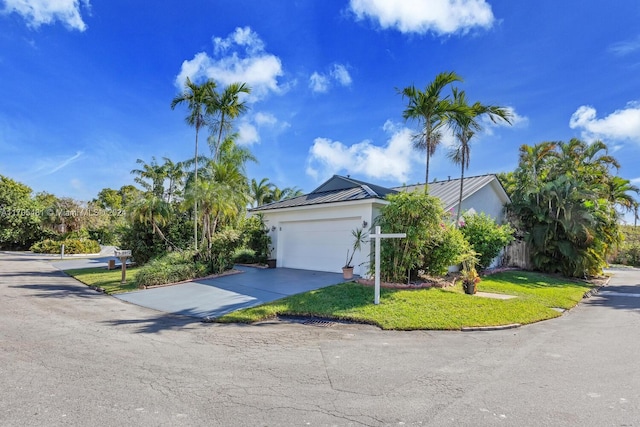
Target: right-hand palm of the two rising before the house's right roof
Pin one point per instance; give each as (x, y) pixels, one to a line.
(465, 120)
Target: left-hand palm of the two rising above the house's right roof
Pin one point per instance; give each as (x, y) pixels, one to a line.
(432, 113)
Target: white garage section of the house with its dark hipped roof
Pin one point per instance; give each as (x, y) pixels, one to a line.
(313, 231)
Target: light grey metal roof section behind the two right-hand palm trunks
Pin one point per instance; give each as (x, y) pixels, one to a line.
(449, 191)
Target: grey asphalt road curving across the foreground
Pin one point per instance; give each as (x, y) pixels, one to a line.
(70, 356)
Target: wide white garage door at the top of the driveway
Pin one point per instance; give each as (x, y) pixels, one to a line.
(317, 245)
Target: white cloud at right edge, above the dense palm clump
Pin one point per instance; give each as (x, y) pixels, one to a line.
(623, 124)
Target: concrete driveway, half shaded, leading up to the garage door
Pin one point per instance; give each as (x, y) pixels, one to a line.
(218, 296)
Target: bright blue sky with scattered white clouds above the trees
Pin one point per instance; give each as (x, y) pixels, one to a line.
(86, 85)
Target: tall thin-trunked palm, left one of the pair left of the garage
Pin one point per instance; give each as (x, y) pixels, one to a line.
(198, 98)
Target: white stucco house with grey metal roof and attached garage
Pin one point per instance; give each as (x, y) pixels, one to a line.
(313, 231)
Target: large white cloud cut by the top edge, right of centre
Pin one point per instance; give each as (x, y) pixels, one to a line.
(419, 16)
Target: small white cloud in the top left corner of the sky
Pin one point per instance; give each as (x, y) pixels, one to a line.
(39, 12)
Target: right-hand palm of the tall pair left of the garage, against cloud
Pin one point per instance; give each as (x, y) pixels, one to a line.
(226, 107)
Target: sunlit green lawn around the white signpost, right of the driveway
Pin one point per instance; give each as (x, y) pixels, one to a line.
(429, 308)
